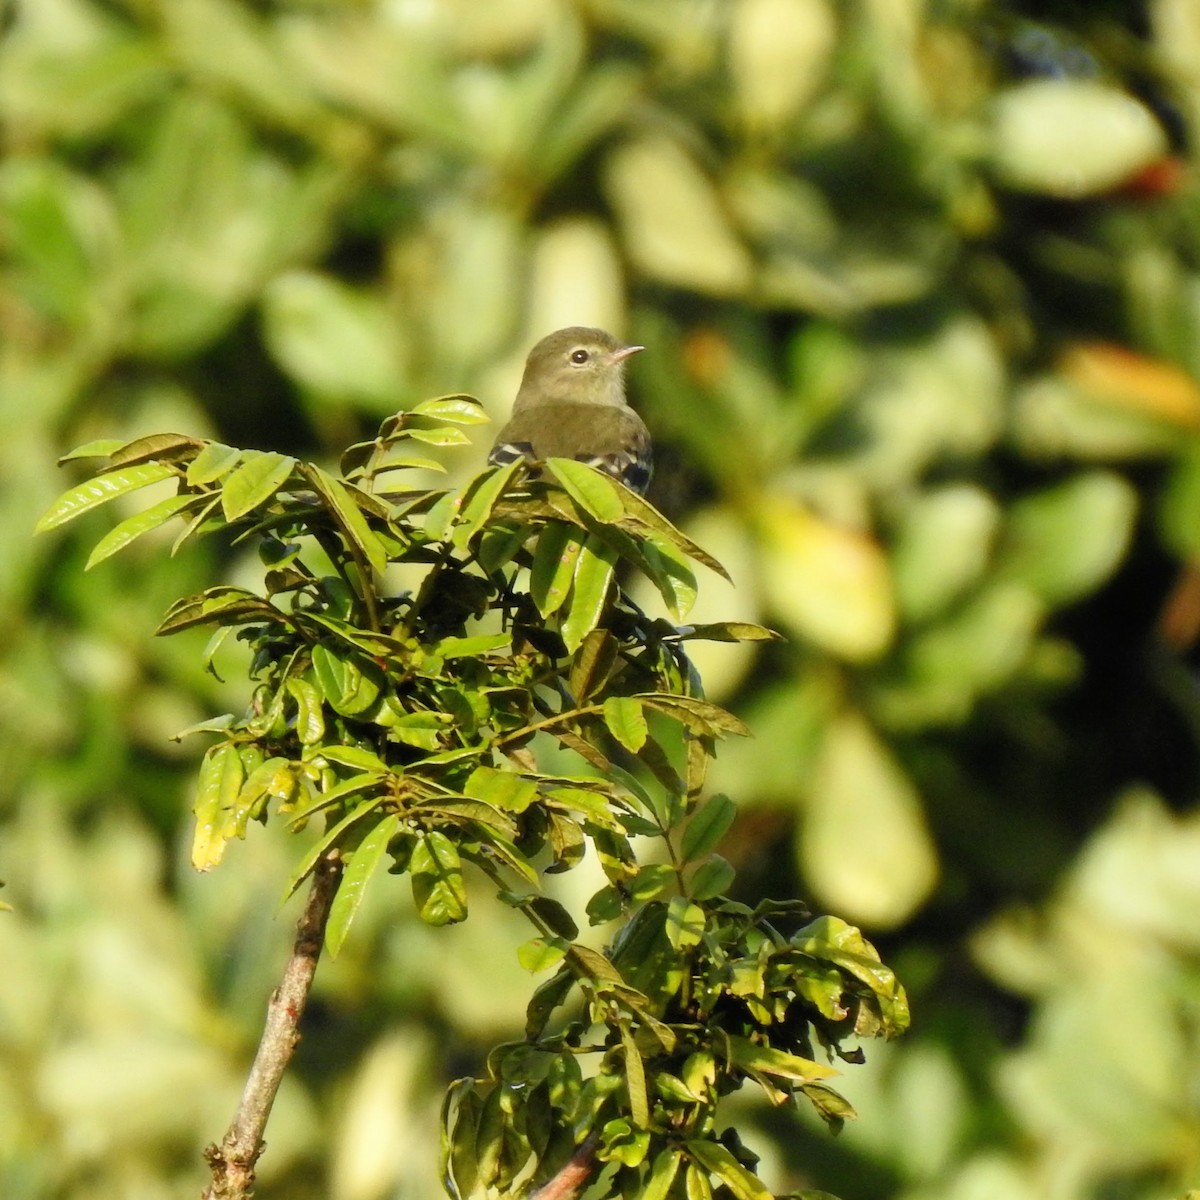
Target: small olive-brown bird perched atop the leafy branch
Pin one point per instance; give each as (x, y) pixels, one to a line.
(572, 405)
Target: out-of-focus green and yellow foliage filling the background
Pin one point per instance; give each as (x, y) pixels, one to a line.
(921, 287)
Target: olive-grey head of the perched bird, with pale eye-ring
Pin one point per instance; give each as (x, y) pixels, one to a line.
(575, 365)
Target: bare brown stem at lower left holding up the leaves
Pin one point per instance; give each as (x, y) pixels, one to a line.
(233, 1163)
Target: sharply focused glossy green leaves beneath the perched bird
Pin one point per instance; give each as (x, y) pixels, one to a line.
(411, 724)
